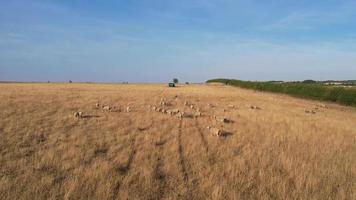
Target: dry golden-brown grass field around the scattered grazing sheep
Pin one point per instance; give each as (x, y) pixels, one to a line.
(276, 152)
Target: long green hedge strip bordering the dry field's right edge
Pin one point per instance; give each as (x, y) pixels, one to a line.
(341, 95)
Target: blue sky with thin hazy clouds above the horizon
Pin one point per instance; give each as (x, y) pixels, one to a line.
(194, 40)
